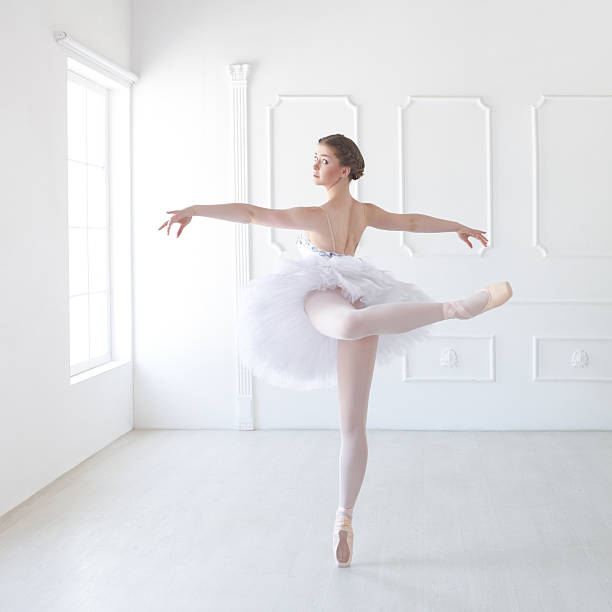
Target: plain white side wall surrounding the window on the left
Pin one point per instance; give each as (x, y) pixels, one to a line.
(47, 425)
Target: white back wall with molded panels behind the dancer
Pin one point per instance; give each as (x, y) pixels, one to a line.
(507, 54)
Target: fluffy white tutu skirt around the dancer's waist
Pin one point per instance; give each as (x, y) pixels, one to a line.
(276, 339)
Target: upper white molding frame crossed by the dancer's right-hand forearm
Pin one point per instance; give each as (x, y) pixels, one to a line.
(402, 196)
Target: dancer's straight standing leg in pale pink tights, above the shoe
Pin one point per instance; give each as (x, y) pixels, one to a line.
(356, 360)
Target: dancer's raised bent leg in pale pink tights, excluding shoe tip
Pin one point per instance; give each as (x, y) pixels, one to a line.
(333, 315)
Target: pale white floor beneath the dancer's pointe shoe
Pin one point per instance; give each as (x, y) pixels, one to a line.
(223, 520)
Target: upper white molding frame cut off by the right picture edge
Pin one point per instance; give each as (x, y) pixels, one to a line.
(536, 164)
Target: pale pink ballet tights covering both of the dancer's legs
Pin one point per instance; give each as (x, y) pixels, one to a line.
(357, 331)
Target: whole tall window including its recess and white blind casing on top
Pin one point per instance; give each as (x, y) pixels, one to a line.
(98, 211)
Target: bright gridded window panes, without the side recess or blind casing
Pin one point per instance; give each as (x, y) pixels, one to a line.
(88, 223)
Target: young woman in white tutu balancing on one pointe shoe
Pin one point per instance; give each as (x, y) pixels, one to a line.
(325, 319)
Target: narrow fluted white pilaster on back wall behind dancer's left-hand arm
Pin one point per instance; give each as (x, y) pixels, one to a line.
(239, 106)
